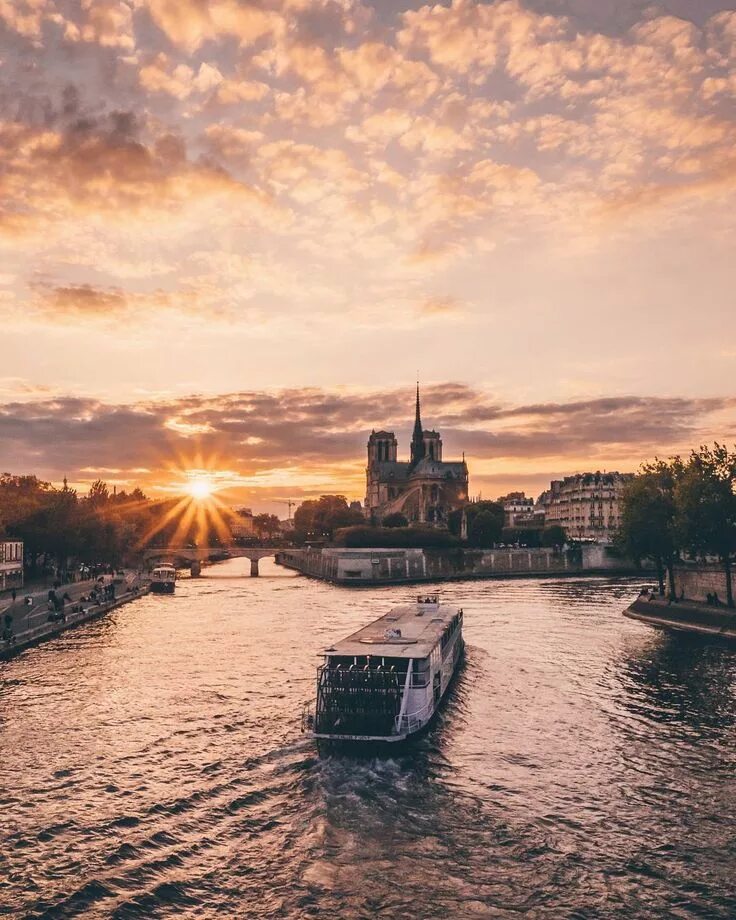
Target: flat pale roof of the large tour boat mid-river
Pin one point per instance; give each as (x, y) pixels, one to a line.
(420, 626)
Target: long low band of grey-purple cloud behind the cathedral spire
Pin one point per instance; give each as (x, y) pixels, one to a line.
(253, 434)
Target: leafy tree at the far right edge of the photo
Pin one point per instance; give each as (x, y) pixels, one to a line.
(706, 506)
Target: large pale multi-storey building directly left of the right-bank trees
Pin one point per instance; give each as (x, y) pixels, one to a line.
(587, 505)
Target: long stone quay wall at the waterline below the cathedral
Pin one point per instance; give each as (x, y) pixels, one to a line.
(386, 566)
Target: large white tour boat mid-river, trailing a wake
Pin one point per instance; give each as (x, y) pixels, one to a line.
(385, 682)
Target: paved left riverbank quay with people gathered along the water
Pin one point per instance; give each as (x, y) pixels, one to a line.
(31, 625)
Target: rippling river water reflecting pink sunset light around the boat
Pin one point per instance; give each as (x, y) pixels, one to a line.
(152, 764)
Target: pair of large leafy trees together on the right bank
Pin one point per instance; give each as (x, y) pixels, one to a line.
(682, 507)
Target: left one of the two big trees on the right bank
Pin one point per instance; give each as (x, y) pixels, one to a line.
(649, 528)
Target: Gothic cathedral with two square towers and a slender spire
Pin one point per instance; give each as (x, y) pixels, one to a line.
(425, 490)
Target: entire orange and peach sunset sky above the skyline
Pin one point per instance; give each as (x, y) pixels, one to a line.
(232, 236)
